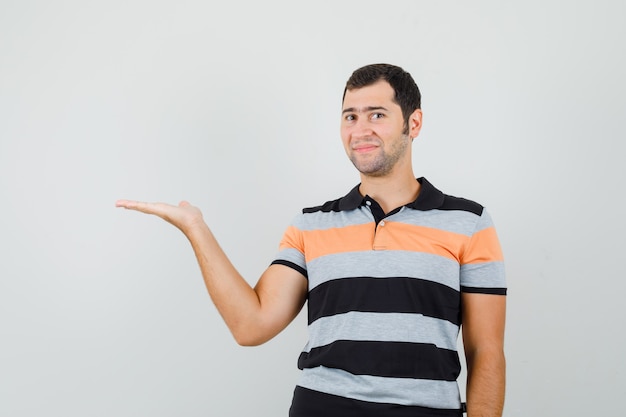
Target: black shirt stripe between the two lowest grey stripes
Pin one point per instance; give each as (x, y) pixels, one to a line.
(387, 359)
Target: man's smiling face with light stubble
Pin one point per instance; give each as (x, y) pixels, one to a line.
(372, 129)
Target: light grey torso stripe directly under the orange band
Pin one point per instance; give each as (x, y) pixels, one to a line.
(381, 264)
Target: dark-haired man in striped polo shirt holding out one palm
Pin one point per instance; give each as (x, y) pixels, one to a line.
(390, 272)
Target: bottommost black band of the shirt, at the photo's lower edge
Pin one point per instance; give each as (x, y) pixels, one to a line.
(310, 403)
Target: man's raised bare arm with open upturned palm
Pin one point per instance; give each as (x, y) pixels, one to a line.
(253, 315)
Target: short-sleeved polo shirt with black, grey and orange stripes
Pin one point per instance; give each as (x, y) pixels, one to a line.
(384, 294)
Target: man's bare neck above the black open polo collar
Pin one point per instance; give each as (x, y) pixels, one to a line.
(391, 191)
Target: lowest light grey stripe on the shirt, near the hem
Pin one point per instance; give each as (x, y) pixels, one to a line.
(405, 391)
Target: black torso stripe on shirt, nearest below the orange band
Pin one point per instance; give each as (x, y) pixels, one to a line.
(385, 295)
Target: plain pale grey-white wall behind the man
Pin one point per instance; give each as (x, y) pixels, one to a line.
(235, 107)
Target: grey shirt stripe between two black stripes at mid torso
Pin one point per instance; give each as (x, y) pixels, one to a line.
(382, 327)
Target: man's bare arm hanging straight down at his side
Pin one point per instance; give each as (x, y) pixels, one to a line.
(483, 339)
